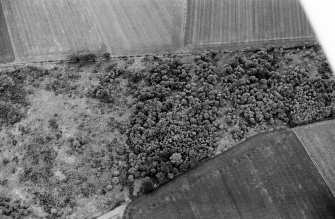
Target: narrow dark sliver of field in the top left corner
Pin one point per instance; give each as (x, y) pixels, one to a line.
(6, 50)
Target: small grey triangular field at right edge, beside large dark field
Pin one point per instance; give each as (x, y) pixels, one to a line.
(319, 141)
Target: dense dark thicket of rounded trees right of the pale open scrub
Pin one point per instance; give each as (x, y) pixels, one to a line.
(183, 107)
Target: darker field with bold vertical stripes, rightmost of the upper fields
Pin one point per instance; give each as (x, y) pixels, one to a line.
(216, 22)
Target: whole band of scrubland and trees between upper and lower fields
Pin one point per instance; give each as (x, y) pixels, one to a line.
(78, 139)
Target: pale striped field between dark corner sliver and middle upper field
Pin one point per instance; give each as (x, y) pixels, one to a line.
(43, 29)
